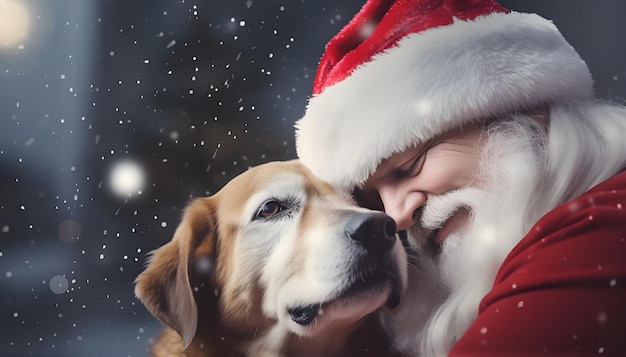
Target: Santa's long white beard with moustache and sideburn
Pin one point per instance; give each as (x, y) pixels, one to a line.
(444, 302)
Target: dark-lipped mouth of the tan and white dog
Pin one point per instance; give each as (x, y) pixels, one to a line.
(363, 287)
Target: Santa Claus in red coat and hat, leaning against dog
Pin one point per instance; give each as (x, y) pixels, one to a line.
(476, 129)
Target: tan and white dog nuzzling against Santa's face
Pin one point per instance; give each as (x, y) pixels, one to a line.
(275, 264)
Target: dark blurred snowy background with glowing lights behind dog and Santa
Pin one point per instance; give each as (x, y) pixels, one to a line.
(114, 114)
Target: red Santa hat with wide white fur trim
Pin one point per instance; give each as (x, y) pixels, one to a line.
(401, 72)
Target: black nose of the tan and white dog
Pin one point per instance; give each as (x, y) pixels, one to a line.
(375, 231)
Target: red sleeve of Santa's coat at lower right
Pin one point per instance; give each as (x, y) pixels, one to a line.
(562, 289)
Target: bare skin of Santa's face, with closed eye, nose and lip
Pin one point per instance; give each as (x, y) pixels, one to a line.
(404, 181)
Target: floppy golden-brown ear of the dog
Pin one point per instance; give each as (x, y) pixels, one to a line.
(164, 287)
